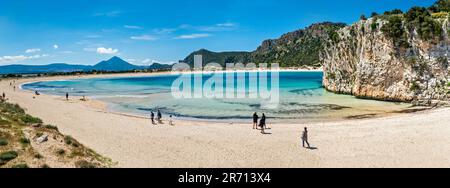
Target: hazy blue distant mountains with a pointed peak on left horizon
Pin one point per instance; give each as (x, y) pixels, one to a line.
(115, 64)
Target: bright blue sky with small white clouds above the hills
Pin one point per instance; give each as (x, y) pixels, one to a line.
(142, 32)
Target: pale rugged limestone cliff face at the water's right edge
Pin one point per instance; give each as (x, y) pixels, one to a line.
(363, 61)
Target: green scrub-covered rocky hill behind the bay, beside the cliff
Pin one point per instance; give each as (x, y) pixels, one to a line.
(294, 49)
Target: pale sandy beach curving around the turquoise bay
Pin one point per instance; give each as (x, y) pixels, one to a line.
(420, 139)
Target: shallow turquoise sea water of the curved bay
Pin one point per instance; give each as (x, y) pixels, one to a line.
(302, 98)
